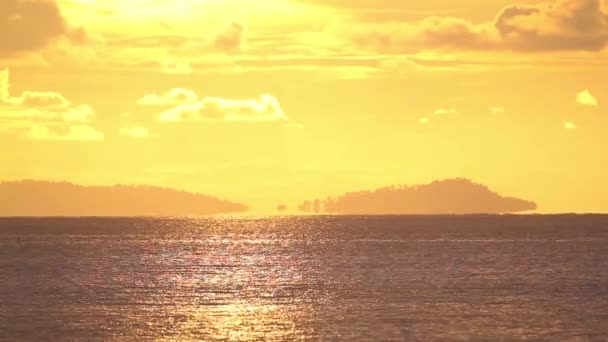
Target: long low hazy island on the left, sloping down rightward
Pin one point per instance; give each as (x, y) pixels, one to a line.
(42, 198)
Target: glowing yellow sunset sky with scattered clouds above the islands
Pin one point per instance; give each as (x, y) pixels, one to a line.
(275, 101)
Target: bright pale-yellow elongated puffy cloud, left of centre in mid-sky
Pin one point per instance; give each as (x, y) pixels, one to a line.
(188, 108)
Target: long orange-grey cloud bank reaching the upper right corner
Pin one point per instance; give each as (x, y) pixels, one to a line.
(580, 25)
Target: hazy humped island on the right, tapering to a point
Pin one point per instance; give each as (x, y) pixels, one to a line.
(451, 196)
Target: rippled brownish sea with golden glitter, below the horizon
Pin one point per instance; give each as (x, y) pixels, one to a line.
(447, 278)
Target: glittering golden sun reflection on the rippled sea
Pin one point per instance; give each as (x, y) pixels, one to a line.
(239, 288)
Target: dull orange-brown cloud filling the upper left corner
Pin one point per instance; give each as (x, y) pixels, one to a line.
(31, 25)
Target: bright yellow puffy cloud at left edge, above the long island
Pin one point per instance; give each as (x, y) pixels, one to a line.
(45, 115)
